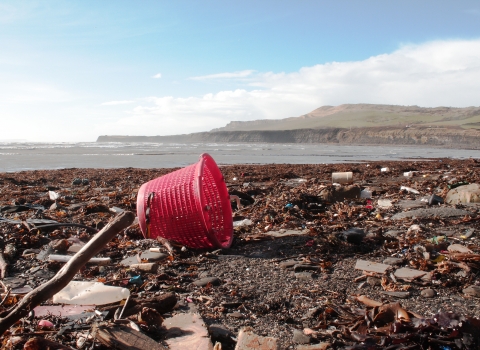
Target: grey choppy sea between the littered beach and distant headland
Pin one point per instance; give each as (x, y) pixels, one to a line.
(19, 156)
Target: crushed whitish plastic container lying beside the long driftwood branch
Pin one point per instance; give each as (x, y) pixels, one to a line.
(90, 293)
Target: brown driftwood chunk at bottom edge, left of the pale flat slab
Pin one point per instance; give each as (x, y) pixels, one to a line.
(125, 338)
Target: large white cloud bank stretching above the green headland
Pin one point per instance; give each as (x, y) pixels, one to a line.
(441, 73)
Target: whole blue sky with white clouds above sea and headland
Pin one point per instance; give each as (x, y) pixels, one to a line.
(71, 71)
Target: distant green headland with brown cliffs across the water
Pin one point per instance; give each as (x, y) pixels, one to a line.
(368, 124)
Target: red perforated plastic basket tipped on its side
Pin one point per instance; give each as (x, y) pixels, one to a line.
(190, 206)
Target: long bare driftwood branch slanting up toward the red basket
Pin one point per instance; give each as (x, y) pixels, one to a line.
(67, 272)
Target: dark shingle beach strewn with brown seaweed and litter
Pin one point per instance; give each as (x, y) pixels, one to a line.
(295, 271)
